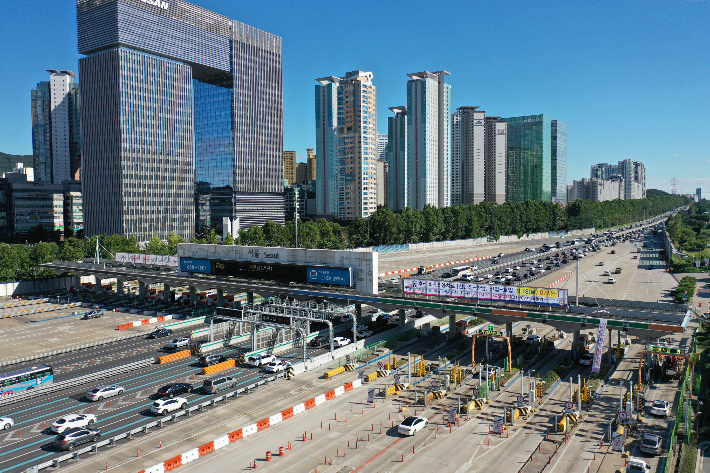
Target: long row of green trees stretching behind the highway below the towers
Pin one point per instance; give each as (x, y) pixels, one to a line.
(384, 227)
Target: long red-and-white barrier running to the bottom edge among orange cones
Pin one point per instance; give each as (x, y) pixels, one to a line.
(251, 429)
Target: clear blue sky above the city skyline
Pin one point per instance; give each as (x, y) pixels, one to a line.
(630, 78)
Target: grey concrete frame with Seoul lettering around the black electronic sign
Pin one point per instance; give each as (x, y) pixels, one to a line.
(363, 263)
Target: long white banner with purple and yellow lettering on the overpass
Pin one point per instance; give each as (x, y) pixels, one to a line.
(487, 292)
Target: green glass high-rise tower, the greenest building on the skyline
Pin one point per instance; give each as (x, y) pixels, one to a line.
(529, 173)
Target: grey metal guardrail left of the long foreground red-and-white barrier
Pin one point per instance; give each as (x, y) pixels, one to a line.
(146, 427)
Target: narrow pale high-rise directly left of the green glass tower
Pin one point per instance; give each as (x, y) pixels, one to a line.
(496, 159)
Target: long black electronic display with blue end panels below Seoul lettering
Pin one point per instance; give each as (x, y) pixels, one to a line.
(287, 272)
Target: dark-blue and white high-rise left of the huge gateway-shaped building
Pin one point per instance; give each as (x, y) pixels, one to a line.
(56, 143)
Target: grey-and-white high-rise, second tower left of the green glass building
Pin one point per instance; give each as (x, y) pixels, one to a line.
(468, 147)
